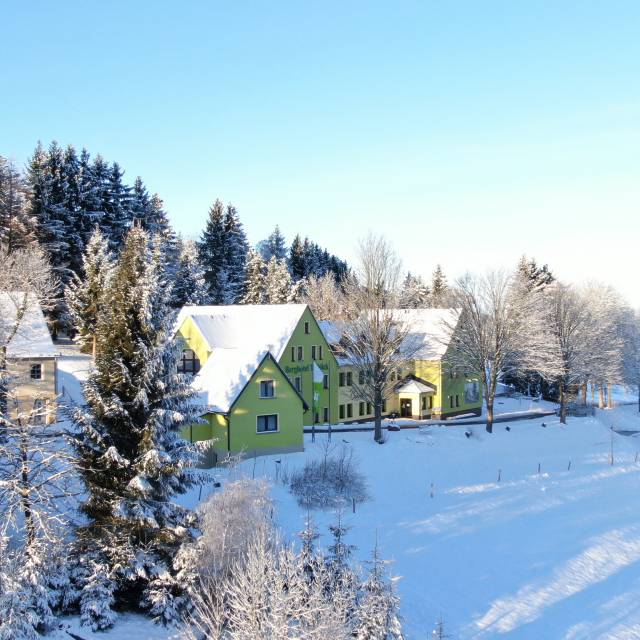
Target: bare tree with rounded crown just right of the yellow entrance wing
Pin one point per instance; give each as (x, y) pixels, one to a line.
(486, 337)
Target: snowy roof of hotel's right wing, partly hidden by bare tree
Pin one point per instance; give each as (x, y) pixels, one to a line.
(430, 332)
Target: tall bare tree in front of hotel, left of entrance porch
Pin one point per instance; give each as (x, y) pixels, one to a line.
(375, 334)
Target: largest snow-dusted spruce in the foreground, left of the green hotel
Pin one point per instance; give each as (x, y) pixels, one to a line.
(131, 455)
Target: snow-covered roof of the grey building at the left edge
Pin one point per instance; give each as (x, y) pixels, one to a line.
(32, 339)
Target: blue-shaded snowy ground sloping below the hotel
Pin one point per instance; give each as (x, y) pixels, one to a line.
(549, 555)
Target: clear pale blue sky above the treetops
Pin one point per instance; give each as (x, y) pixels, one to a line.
(467, 132)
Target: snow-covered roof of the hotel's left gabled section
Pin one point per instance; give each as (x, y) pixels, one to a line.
(239, 337)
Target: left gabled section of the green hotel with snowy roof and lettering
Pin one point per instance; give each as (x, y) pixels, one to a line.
(262, 373)
